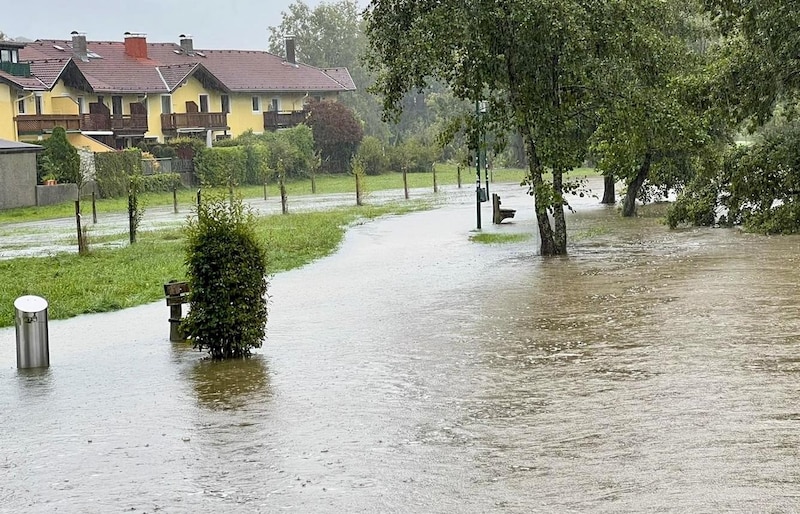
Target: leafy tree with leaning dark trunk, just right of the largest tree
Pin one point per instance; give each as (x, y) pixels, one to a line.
(653, 133)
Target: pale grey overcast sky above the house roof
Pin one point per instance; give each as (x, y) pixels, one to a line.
(224, 25)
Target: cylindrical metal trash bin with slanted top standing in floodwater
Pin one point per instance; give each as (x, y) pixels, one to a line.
(33, 346)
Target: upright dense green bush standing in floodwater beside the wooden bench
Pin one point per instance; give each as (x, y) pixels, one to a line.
(227, 275)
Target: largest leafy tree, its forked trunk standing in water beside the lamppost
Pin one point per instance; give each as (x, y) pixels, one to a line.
(540, 64)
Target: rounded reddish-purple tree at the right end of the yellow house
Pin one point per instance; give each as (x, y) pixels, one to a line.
(337, 134)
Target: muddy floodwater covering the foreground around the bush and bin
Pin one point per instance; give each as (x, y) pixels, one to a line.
(415, 371)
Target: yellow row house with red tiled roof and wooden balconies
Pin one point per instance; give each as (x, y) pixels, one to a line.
(114, 94)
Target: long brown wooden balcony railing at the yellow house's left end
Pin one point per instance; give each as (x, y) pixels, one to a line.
(42, 123)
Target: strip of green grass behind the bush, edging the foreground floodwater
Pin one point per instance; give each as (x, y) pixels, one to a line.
(117, 278)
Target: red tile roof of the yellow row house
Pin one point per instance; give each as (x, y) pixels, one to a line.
(109, 69)
